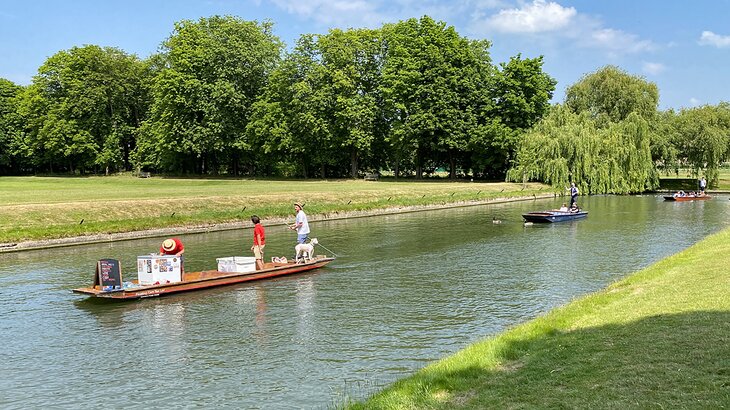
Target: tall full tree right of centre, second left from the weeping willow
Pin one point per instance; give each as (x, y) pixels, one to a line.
(429, 86)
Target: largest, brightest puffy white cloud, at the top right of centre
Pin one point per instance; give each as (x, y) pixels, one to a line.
(532, 18)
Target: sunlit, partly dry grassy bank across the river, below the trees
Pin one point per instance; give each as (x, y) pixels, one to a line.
(37, 208)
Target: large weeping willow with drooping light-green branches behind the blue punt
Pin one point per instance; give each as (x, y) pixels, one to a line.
(567, 147)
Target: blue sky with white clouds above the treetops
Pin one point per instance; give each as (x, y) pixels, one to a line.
(683, 47)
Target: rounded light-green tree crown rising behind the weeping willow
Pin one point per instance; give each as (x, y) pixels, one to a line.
(611, 94)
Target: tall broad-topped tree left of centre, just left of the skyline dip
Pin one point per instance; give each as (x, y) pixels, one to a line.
(214, 70)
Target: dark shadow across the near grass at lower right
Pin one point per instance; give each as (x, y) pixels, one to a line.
(665, 361)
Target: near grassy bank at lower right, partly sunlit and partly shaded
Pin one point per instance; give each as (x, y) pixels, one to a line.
(658, 339)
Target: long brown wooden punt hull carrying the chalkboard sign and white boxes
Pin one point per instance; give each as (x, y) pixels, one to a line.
(205, 279)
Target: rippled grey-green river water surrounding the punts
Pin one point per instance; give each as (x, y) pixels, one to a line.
(406, 290)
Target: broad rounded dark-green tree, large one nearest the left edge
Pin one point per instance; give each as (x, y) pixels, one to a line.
(82, 109)
